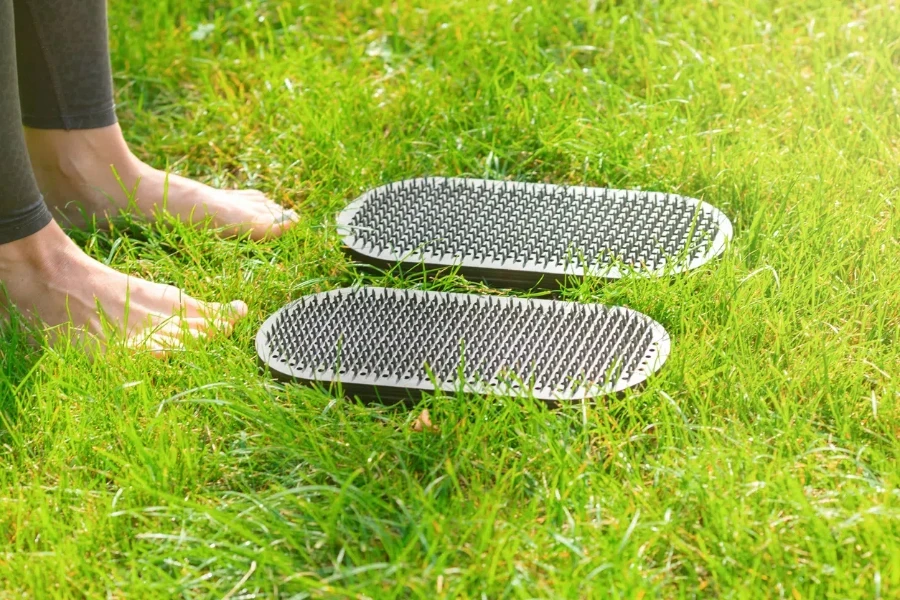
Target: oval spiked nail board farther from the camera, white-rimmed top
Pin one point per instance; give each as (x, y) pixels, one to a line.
(526, 235)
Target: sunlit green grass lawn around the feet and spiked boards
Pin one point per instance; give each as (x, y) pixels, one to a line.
(761, 462)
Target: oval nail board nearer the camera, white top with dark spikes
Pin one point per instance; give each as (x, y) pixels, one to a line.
(389, 345)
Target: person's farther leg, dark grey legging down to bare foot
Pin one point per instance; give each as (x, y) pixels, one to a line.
(80, 157)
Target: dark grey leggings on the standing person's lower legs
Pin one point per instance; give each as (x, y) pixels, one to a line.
(56, 75)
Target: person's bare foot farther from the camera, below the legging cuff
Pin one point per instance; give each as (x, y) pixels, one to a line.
(74, 170)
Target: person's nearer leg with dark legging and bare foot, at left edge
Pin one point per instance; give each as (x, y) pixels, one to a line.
(49, 279)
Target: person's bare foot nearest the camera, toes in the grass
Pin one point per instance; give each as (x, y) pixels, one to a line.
(50, 280)
